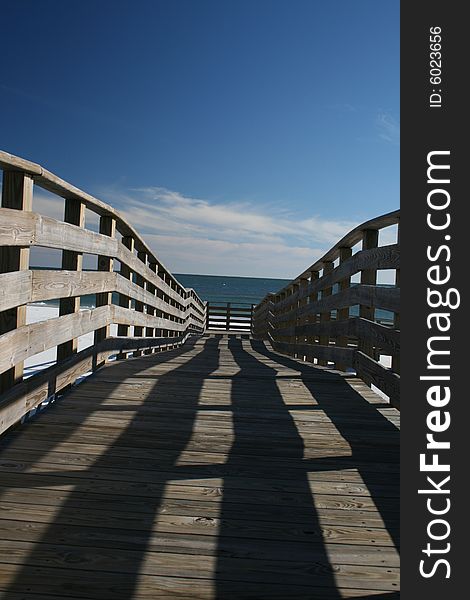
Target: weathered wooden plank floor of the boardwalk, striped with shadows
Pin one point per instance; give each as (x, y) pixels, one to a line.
(219, 470)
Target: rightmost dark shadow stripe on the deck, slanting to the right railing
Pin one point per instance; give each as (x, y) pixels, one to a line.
(367, 421)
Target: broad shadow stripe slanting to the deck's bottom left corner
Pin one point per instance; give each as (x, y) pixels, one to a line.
(98, 540)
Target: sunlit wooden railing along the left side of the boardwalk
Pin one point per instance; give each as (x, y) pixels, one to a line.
(155, 312)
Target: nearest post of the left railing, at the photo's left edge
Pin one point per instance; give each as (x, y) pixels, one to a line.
(17, 193)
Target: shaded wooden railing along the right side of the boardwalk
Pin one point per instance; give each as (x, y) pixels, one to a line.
(325, 318)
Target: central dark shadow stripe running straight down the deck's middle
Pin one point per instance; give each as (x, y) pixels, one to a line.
(284, 547)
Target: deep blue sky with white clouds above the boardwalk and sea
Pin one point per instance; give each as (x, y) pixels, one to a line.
(241, 137)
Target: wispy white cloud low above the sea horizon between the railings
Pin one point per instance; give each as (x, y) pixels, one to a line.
(237, 238)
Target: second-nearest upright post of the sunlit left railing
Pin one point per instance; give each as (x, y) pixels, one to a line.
(74, 214)
